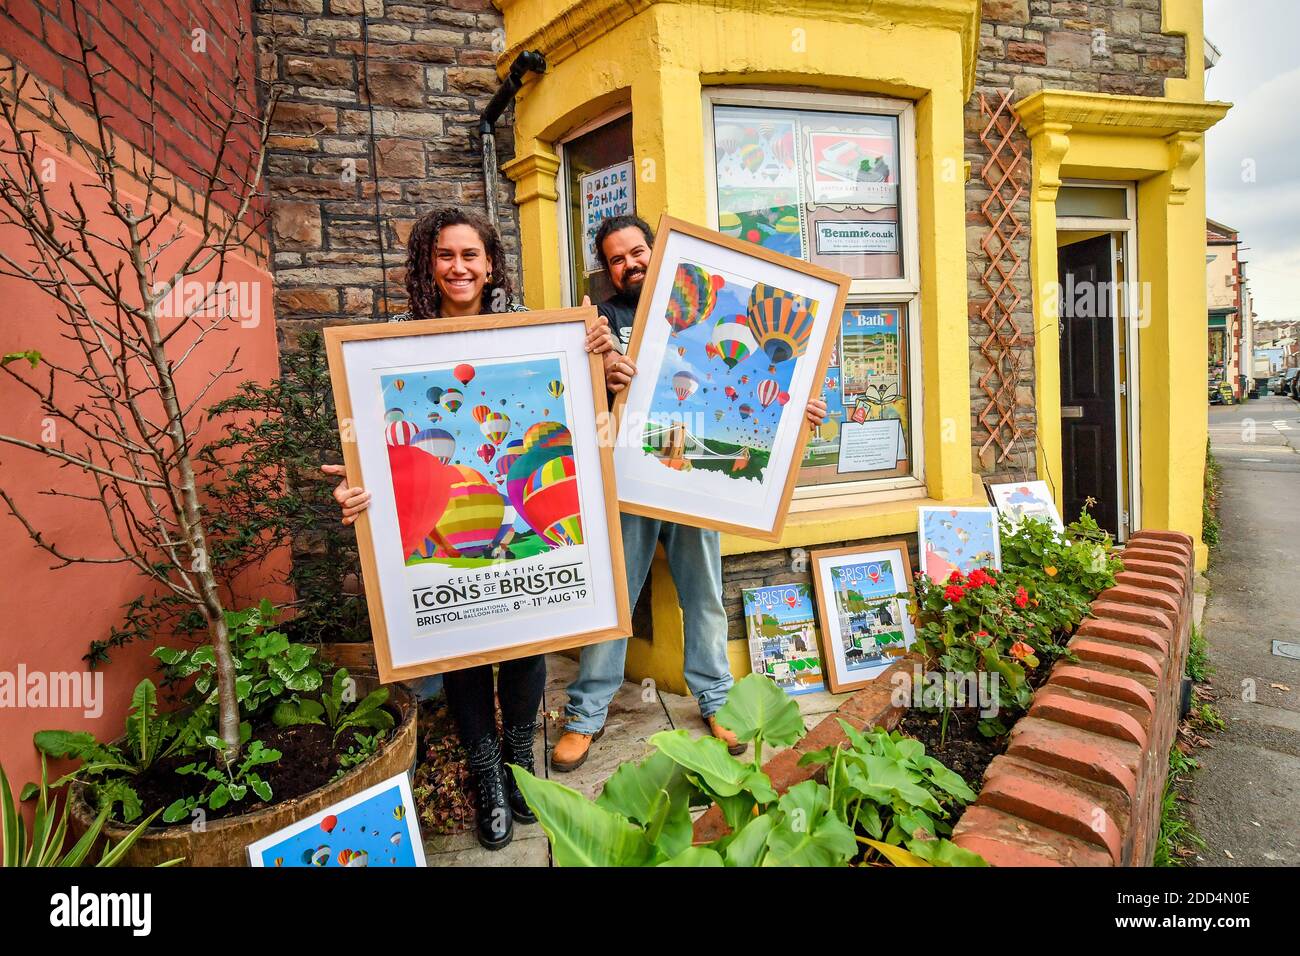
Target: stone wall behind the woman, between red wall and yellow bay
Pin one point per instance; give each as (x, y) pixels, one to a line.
(344, 202)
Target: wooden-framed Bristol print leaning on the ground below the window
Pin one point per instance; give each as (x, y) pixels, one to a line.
(863, 602)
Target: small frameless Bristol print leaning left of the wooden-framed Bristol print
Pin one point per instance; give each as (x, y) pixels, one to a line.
(782, 629)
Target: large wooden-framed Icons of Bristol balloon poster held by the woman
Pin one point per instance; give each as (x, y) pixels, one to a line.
(493, 530)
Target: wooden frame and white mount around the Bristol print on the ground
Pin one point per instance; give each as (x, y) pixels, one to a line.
(837, 669)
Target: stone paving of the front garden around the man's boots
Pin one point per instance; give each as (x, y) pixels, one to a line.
(636, 715)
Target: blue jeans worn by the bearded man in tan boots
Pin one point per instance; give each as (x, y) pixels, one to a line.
(696, 561)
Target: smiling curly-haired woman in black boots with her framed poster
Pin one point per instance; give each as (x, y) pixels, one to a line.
(495, 530)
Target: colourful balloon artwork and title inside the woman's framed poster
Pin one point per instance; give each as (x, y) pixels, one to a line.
(484, 474)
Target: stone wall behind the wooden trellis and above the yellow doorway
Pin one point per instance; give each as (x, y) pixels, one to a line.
(1102, 46)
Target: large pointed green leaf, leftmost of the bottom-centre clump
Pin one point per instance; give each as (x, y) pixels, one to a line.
(583, 834)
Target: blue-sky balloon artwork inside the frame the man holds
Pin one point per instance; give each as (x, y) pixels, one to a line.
(733, 353)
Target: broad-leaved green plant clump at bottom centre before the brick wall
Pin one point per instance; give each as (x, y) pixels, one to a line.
(643, 815)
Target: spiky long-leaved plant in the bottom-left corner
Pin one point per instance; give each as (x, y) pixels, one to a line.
(45, 845)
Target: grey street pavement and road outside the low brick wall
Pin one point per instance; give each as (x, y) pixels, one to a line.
(1246, 799)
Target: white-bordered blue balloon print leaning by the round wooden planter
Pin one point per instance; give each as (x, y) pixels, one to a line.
(376, 828)
